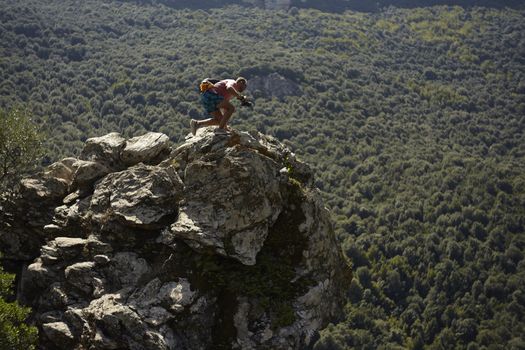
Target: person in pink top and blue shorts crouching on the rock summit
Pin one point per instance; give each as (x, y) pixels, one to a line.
(215, 97)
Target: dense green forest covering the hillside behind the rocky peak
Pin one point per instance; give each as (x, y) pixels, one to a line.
(413, 120)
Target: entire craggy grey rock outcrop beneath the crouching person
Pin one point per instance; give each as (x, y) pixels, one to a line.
(221, 242)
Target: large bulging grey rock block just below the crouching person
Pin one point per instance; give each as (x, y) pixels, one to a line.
(246, 201)
